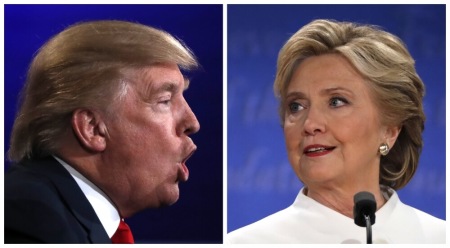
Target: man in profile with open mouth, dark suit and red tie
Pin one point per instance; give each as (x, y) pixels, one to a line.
(102, 133)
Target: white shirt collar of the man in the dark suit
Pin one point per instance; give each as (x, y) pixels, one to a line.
(103, 207)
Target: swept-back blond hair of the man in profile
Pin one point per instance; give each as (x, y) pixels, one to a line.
(84, 67)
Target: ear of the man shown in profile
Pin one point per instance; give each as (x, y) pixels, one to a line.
(90, 129)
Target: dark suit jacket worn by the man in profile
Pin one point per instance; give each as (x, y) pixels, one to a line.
(44, 204)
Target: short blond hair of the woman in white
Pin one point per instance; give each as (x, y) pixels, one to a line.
(384, 61)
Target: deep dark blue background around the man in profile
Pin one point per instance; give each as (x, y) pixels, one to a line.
(197, 216)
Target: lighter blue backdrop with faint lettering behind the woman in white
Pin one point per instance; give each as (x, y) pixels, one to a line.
(260, 179)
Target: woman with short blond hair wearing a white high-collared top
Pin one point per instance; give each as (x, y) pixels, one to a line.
(352, 114)
